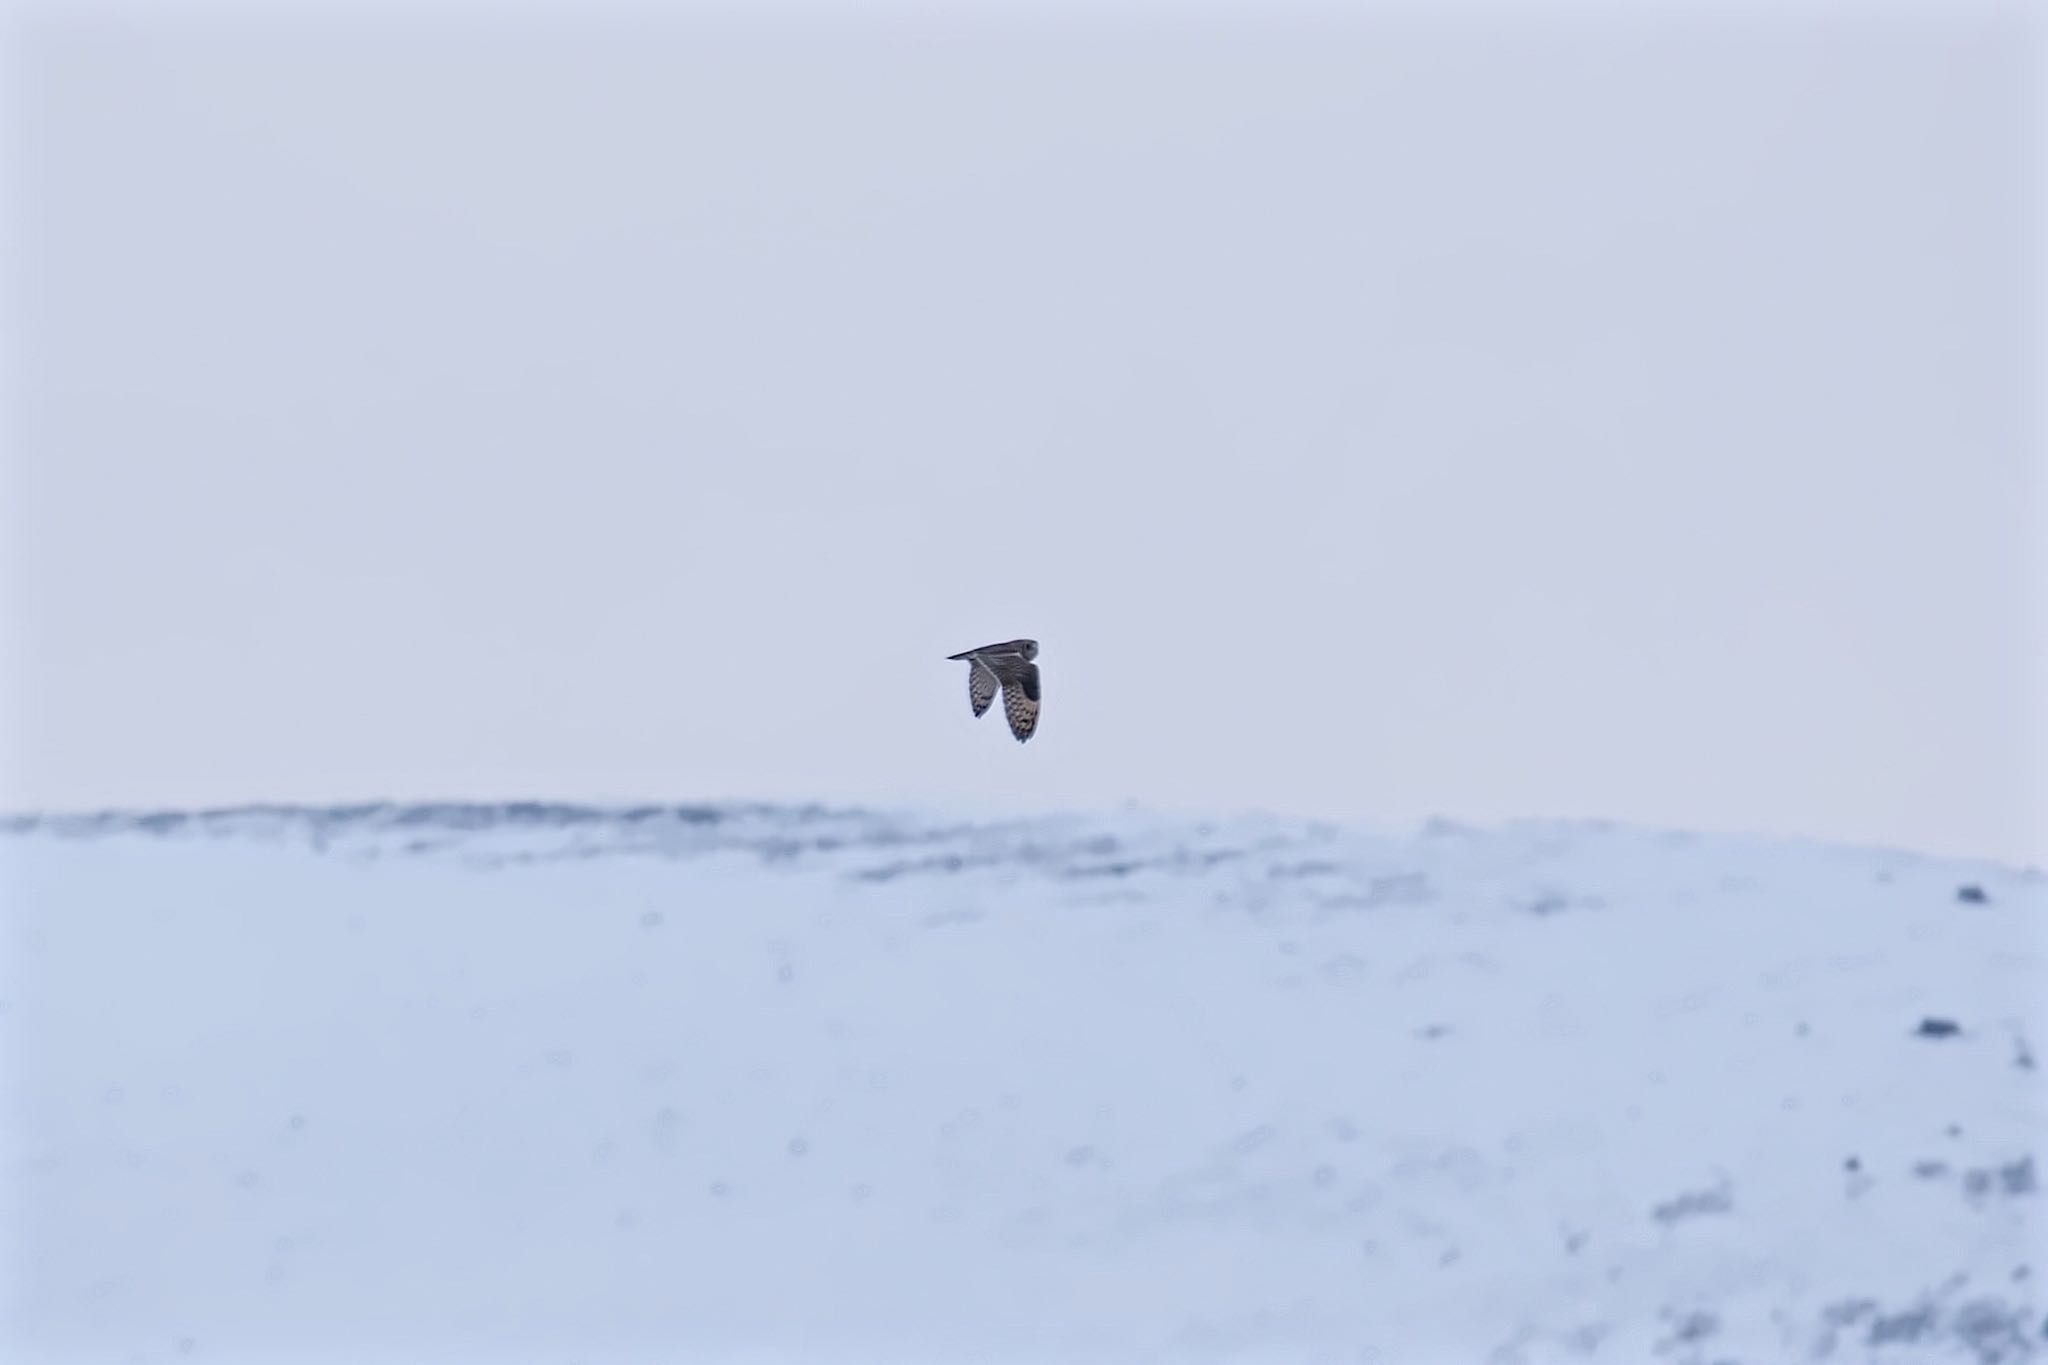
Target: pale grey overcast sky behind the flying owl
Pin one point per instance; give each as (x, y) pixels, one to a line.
(1541, 412)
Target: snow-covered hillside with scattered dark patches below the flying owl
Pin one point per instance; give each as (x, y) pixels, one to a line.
(742, 1084)
